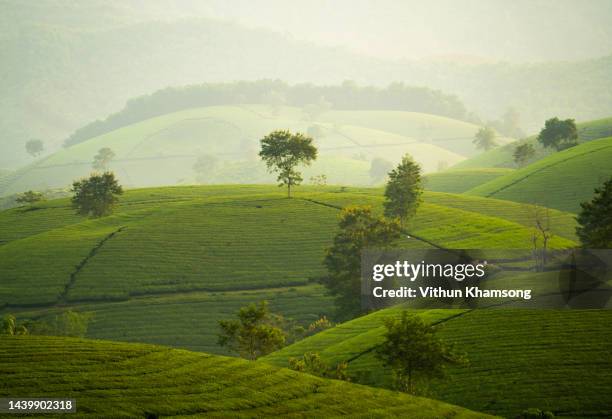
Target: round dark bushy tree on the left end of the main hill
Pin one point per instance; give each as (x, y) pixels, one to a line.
(96, 195)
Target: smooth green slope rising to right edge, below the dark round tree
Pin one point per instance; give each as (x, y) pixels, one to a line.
(560, 181)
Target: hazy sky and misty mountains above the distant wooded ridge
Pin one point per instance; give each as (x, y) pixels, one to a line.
(67, 63)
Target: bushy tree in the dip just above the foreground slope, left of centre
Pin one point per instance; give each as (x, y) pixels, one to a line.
(254, 333)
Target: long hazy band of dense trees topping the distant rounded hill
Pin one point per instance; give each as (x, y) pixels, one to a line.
(348, 96)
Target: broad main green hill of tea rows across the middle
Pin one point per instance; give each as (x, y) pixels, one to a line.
(172, 254)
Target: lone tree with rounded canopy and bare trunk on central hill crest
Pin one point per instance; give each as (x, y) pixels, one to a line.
(283, 151)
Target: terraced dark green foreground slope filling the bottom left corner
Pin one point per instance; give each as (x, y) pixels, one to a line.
(119, 380)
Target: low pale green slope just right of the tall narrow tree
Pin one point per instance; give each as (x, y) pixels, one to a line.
(458, 181)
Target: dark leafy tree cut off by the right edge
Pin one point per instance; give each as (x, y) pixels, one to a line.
(595, 219)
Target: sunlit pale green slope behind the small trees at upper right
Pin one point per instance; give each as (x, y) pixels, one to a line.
(502, 156)
